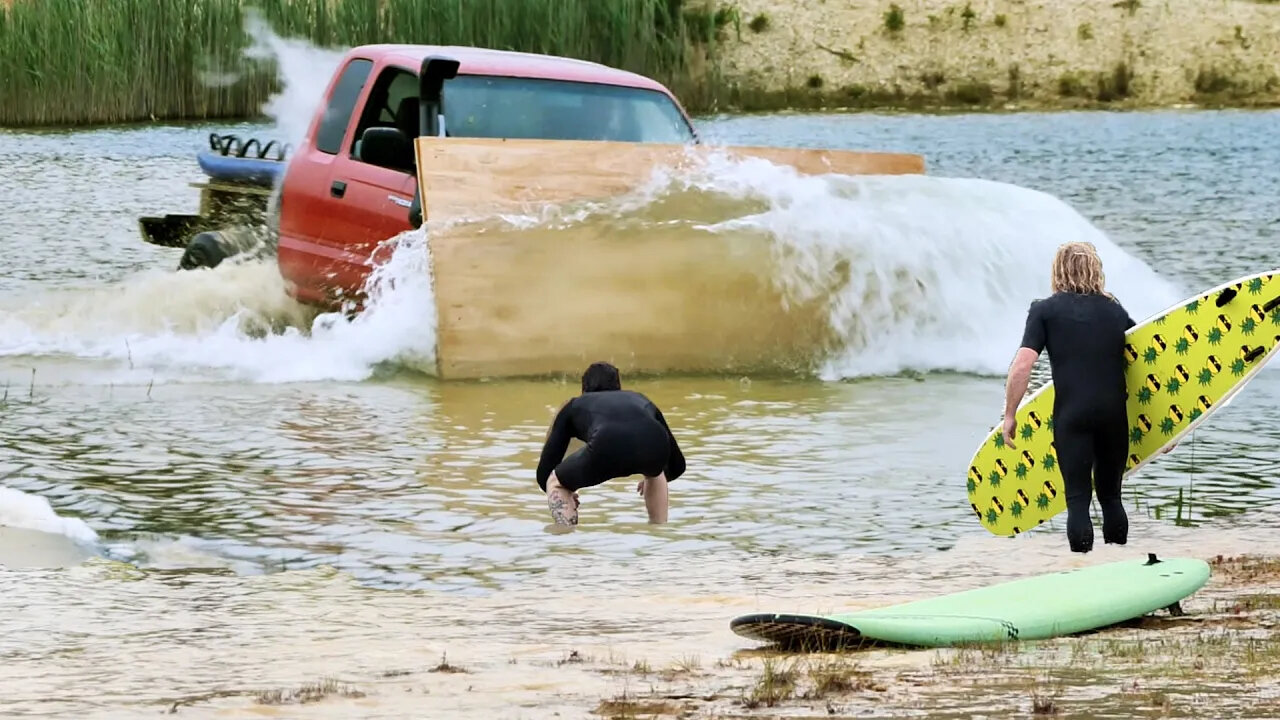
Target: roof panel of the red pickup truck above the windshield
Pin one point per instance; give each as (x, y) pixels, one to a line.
(483, 61)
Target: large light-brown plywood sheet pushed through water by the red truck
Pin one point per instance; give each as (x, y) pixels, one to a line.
(650, 298)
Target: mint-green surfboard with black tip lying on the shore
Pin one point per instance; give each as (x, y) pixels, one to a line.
(1036, 608)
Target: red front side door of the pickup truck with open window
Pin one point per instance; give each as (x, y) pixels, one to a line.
(369, 204)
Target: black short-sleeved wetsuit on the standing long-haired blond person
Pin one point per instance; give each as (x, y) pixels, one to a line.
(1085, 338)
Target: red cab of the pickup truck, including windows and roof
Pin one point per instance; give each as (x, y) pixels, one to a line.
(353, 183)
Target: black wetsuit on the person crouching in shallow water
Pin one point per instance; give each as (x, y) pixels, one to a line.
(625, 435)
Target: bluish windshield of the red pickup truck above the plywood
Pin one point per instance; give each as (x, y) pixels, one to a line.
(552, 110)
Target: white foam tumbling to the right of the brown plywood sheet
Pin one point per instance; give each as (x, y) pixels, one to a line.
(941, 270)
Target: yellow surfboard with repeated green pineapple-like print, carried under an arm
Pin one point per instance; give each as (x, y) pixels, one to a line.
(1183, 364)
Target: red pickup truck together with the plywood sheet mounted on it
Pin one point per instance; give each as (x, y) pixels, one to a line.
(497, 133)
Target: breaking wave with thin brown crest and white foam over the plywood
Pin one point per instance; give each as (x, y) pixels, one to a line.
(917, 272)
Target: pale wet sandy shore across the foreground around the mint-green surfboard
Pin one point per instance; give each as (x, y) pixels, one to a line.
(313, 644)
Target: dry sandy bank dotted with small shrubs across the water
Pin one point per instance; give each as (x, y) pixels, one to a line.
(1000, 53)
